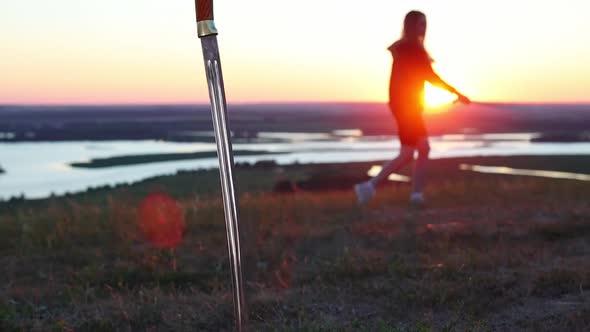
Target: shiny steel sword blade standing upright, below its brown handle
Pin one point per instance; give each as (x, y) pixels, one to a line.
(226, 163)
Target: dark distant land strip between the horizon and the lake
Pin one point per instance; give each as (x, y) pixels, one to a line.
(189, 122)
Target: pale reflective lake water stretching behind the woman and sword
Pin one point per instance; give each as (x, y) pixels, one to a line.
(36, 170)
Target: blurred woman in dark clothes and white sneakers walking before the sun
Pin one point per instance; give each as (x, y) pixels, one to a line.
(411, 69)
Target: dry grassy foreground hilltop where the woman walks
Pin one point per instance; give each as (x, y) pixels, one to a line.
(488, 253)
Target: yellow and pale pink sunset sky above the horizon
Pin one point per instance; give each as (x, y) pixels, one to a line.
(146, 51)
